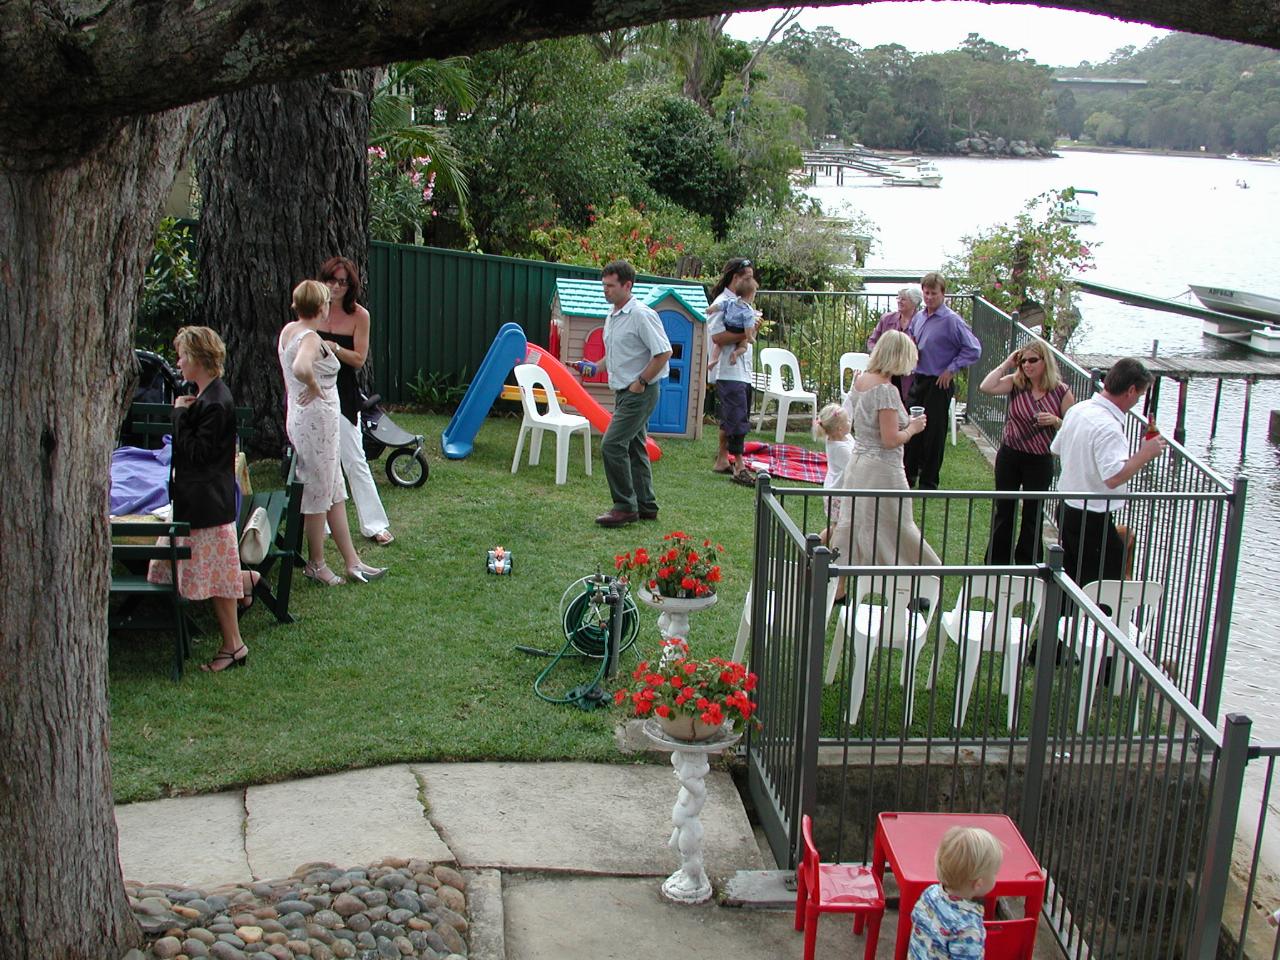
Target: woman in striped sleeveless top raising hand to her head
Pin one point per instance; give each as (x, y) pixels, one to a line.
(1037, 403)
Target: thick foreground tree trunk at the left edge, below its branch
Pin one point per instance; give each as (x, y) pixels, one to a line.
(74, 248)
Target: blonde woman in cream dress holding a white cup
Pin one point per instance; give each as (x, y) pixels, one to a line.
(880, 531)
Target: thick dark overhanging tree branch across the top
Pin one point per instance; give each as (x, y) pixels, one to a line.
(67, 71)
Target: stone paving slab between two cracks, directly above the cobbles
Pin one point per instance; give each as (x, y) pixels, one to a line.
(345, 819)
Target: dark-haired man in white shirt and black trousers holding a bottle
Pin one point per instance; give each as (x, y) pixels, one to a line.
(1096, 460)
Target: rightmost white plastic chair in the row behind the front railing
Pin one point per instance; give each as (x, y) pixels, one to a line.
(1124, 598)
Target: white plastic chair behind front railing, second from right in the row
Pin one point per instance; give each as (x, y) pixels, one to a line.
(998, 630)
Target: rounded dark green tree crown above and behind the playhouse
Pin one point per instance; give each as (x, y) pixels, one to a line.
(683, 156)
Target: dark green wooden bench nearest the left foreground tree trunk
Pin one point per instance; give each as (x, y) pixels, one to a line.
(130, 584)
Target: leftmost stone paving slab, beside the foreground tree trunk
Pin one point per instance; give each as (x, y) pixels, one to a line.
(194, 840)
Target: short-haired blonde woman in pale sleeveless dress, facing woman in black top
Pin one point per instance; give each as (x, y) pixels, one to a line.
(310, 373)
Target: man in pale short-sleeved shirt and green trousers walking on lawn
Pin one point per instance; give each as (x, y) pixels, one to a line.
(637, 351)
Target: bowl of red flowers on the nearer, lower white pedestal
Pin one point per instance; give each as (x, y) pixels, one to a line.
(694, 700)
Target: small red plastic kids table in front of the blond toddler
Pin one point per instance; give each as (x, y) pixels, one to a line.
(909, 842)
